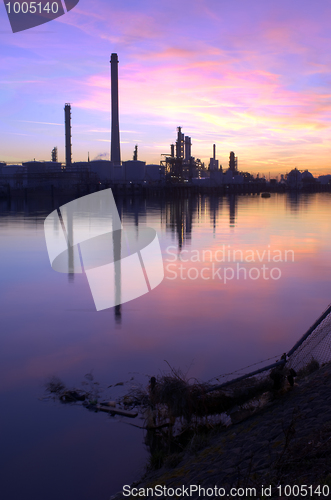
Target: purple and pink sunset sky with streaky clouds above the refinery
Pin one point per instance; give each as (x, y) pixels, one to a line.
(253, 77)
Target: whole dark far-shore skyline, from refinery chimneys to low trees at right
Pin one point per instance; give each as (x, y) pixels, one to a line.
(178, 167)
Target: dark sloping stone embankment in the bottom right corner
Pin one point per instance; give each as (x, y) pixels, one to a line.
(288, 442)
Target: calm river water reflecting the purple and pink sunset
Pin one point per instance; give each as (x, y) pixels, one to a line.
(194, 320)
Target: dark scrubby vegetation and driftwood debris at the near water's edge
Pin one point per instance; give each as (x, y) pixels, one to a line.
(181, 415)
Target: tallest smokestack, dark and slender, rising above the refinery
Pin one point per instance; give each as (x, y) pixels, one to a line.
(115, 152)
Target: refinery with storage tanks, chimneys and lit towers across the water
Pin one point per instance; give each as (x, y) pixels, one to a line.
(177, 167)
